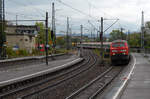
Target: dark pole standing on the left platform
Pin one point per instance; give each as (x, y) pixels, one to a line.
(46, 45)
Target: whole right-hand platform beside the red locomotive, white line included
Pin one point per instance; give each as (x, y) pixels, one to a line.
(133, 82)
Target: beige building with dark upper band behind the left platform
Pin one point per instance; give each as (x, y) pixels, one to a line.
(21, 36)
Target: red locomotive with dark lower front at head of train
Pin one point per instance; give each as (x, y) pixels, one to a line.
(119, 51)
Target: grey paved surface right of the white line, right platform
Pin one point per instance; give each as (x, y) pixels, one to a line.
(139, 85)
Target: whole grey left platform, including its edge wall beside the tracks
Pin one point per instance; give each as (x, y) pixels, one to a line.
(25, 72)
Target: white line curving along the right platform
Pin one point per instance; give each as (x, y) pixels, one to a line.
(125, 82)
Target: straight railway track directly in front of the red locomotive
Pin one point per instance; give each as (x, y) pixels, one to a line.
(97, 85)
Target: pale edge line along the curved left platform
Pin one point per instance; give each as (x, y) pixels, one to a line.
(15, 79)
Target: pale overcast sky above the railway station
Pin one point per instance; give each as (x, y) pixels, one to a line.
(127, 11)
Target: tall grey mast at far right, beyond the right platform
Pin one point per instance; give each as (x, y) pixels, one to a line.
(142, 31)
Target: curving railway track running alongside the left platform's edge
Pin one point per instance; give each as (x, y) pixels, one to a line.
(34, 86)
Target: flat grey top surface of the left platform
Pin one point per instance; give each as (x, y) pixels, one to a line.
(23, 71)
